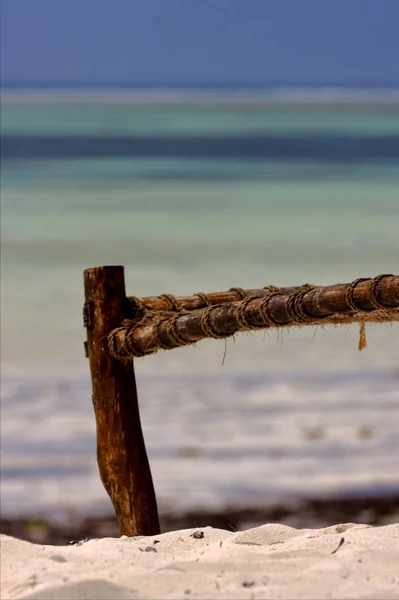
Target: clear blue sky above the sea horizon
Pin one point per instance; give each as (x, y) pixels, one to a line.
(185, 42)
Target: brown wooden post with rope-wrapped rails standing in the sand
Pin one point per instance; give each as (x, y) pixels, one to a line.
(120, 328)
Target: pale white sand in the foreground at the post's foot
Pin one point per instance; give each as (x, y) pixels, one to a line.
(272, 561)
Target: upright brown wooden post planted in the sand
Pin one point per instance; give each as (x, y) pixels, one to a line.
(121, 453)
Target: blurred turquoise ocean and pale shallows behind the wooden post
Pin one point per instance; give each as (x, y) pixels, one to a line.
(198, 191)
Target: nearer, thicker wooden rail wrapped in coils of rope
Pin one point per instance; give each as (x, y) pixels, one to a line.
(363, 300)
